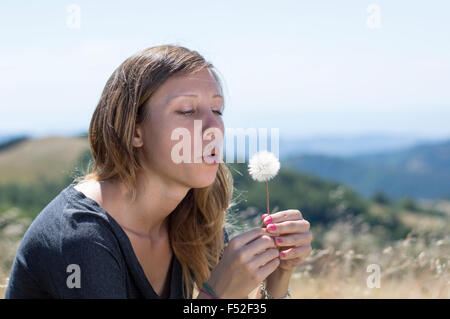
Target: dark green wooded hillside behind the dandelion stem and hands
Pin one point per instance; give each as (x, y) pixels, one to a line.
(323, 203)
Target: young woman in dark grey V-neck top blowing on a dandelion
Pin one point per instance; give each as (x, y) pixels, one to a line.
(143, 225)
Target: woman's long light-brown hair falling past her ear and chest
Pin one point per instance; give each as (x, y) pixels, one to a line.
(196, 224)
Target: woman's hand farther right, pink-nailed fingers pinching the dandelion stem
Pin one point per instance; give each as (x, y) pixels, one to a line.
(291, 235)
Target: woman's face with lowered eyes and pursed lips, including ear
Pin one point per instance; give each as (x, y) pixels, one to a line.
(167, 136)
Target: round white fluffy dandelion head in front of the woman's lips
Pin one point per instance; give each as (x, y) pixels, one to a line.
(263, 166)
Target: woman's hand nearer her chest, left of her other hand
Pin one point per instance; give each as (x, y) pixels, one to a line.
(248, 260)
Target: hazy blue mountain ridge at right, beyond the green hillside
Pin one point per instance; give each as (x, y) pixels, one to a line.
(421, 171)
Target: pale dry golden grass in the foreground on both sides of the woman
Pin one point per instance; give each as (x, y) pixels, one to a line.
(415, 267)
